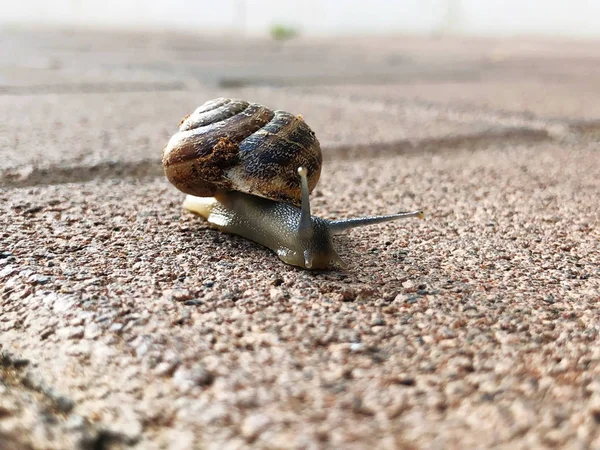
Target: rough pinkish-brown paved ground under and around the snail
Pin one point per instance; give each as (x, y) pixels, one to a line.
(128, 323)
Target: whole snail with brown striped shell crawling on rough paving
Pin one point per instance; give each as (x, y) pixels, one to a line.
(249, 171)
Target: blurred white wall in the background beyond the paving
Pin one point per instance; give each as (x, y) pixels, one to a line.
(577, 18)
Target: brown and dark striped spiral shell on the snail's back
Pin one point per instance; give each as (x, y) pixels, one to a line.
(235, 145)
